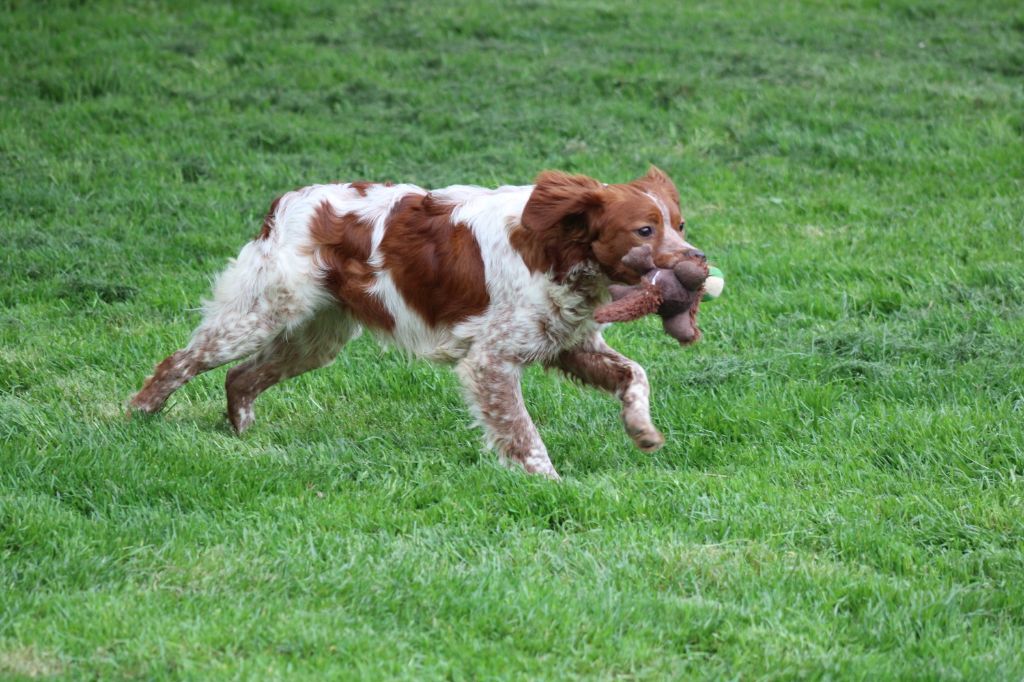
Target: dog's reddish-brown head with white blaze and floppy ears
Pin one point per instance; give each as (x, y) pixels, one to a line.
(575, 218)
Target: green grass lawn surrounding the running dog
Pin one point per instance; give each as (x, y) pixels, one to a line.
(842, 495)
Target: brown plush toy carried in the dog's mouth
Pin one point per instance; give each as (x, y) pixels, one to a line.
(674, 294)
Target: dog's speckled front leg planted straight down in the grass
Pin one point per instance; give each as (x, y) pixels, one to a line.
(494, 392)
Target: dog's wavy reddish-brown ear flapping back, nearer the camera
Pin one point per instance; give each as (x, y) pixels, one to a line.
(562, 201)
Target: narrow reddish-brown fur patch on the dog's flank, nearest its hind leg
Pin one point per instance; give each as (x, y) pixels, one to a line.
(344, 243)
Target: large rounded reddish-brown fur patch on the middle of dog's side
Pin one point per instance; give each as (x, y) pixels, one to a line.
(436, 264)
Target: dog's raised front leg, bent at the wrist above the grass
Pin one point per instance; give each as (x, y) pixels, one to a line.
(596, 364)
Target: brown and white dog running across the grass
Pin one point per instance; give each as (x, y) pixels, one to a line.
(488, 280)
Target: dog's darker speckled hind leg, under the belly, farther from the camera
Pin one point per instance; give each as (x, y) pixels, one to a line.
(313, 346)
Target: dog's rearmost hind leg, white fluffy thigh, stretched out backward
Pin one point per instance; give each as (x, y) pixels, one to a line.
(255, 301)
